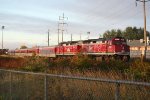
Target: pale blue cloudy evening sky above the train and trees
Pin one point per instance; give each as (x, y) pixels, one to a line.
(27, 21)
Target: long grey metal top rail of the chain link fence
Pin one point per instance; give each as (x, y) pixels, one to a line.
(81, 78)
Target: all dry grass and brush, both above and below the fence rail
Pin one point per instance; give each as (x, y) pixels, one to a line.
(32, 87)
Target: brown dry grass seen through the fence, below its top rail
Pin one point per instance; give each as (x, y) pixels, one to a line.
(32, 87)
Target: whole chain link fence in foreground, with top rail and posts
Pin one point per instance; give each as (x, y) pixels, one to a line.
(18, 85)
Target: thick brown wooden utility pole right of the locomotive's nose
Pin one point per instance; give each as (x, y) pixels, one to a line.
(145, 34)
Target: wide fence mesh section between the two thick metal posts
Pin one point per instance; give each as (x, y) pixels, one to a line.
(78, 90)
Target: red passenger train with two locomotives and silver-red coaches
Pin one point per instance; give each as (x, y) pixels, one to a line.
(97, 48)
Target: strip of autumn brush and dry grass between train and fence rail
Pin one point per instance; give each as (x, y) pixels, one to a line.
(81, 66)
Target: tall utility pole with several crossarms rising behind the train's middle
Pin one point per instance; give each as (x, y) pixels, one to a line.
(62, 23)
